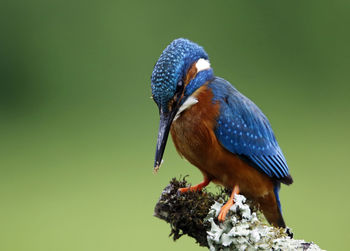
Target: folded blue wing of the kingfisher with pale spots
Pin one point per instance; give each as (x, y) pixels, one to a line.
(244, 130)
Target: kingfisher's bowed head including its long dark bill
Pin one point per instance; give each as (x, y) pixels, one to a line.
(181, 69)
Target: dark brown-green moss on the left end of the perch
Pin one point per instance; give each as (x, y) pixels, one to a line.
(186, 212)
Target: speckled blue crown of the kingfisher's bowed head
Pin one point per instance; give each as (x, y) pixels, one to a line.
(171, 67)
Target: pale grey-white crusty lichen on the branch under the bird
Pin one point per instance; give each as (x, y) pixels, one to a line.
(242, 230)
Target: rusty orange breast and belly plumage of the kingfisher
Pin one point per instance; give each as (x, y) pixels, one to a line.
(194, 138)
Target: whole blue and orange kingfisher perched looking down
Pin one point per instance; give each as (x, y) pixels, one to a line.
(217, 129)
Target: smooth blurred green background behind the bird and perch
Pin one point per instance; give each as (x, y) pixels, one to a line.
(78, 129)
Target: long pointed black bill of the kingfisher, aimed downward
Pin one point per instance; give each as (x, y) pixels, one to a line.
(163, 132)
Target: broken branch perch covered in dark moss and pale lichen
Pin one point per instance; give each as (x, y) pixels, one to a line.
(195, 214)
